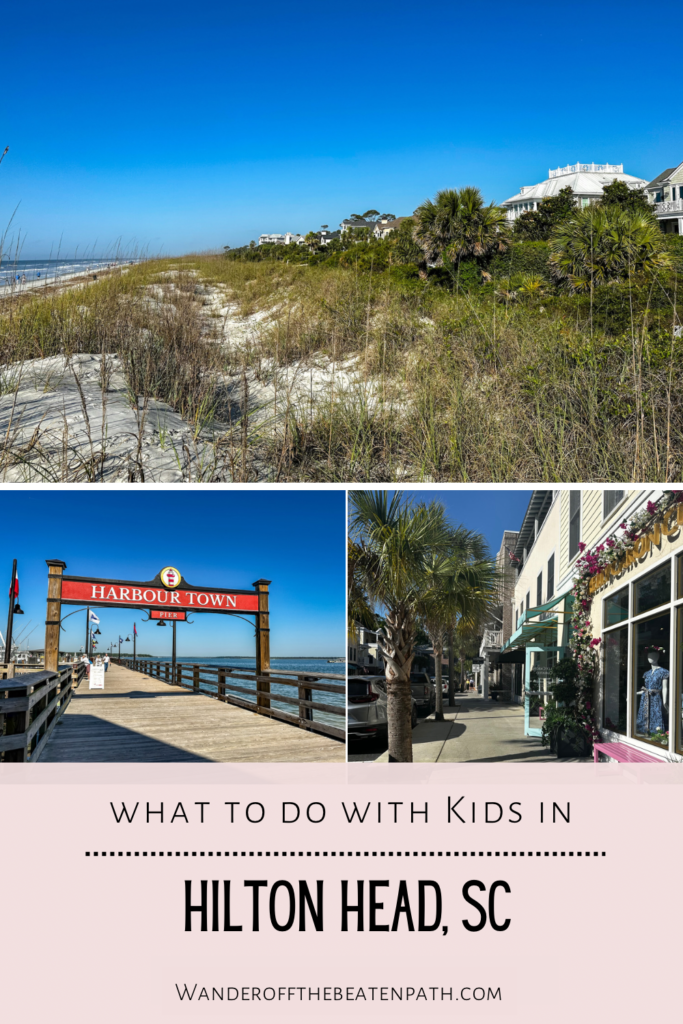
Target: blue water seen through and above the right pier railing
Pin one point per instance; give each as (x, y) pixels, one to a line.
(312, 665)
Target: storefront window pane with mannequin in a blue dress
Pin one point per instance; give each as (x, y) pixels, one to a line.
(652, 680)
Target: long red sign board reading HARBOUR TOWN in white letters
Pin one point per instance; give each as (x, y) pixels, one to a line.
(138, 595)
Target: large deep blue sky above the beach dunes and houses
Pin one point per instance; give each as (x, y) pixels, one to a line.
(180, 129)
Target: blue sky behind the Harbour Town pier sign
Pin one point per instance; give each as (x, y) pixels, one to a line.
(228, 539)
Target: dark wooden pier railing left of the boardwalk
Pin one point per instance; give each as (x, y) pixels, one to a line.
(31, 705)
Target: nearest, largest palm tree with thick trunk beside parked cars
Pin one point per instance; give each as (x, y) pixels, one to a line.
(395, 543)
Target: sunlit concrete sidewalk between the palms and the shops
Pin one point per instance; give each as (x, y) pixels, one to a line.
(478, 731)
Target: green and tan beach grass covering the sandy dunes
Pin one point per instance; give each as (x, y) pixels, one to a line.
(467, 387)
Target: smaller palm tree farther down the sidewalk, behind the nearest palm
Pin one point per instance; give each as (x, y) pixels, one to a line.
(462, 587)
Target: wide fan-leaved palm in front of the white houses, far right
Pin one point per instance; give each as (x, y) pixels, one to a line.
(607, 244)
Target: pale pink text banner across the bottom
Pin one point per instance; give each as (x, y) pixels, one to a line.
(365, 892)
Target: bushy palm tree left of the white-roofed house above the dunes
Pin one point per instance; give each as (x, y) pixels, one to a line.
(457, 225)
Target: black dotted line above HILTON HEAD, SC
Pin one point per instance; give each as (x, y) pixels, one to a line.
(343, 854)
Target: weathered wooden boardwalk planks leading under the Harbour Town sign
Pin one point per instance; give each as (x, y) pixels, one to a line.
(138, 718)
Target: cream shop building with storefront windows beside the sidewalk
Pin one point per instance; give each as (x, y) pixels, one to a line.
(634, 613)
